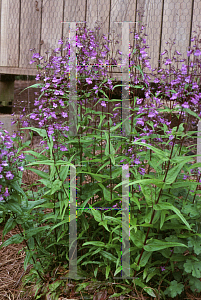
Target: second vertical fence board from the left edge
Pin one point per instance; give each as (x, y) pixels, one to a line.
(29, 31)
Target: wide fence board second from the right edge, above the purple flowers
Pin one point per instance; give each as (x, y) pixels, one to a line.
(176, 24)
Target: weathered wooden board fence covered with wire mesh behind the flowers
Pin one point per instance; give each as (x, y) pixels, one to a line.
(38, 24)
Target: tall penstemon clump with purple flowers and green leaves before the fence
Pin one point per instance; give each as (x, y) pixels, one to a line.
(164, 207)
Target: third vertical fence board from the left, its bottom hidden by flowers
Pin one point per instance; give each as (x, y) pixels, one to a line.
(51, 30)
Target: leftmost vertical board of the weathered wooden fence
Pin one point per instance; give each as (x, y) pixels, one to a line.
(9, 33)
